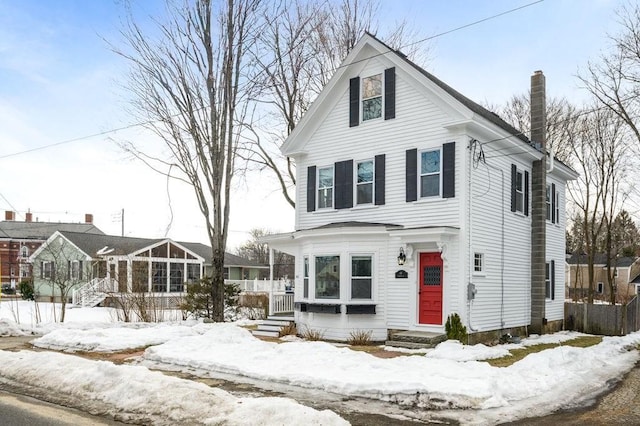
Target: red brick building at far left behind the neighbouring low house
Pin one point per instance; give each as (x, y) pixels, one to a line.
(18, 239)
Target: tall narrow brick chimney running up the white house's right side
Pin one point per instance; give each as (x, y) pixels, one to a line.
(538, 204)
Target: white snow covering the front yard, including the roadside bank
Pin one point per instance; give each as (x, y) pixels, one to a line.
(450, 376)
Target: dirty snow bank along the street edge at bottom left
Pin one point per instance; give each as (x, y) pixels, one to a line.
(133, 393)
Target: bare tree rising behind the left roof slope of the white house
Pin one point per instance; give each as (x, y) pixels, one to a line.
(301, 46)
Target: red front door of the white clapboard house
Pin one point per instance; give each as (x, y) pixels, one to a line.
(430, 291)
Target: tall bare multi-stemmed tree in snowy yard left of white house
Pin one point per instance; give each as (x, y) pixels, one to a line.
(189, 82)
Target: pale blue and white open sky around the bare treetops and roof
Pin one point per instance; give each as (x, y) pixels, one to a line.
(60, 88)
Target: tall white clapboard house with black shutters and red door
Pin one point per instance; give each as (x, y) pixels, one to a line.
(415, 203)
